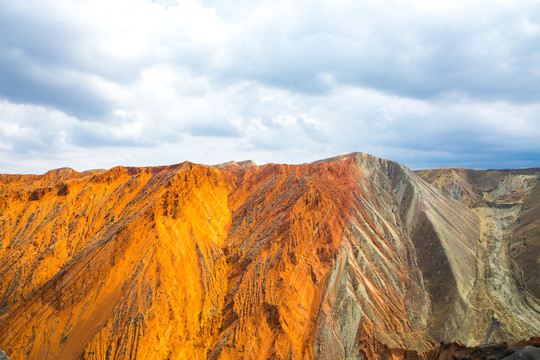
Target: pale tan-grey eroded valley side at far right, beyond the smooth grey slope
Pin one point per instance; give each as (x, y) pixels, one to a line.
(507, 203)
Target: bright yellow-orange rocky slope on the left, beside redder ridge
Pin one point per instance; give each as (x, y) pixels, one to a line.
(127, 264)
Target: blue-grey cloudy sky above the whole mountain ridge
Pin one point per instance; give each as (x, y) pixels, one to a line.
(92, 84)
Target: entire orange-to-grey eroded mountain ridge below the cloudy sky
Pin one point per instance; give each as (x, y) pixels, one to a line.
(352, 257)
